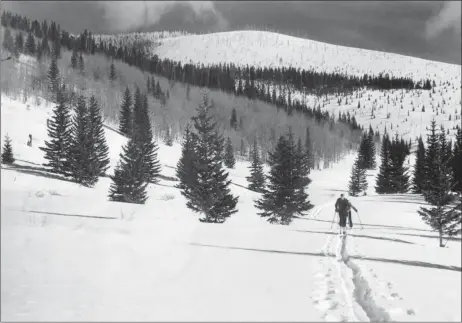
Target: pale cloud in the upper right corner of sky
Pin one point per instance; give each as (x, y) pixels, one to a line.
(447, 18)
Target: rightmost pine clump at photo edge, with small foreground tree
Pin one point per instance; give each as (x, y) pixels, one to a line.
(437, 174)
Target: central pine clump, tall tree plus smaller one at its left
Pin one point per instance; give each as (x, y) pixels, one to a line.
(203, 179)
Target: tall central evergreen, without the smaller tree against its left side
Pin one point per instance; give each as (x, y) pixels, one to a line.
(210, 195)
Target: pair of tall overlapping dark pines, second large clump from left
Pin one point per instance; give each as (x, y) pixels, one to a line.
(138, 164)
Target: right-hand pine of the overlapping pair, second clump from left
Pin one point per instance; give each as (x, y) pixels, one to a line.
(142, 132)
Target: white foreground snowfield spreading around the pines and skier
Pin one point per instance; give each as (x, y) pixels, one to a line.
(69, 254)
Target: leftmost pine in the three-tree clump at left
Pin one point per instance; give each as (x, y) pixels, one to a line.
(58, 147)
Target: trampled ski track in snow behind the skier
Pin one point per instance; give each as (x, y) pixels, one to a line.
(345, 292)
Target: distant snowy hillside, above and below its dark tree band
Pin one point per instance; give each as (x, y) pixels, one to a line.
(396, 111)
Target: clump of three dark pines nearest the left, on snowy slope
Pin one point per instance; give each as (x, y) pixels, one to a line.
(77, 146)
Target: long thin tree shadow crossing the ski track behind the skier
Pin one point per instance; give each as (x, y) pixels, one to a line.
(318, 254)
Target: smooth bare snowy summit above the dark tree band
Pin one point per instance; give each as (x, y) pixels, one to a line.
(262, 48)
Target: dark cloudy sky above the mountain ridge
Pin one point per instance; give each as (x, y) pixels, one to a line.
(427, 29)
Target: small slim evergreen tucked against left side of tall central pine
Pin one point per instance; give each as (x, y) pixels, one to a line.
(186, 170)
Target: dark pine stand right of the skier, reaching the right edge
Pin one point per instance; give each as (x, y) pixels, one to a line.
(437, 175)
